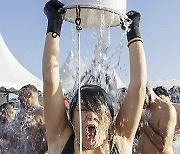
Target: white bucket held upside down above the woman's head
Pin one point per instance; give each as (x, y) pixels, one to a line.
(94, 12)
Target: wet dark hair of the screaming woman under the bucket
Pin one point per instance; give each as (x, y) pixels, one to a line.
(92, 97)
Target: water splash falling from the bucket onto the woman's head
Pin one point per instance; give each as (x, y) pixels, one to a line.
(100, 61)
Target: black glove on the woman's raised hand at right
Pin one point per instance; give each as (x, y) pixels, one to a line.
(134, 26)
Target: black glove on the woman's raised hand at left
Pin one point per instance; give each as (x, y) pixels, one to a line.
(54, 17)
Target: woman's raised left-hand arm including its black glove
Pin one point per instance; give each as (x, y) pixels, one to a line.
(54, 110)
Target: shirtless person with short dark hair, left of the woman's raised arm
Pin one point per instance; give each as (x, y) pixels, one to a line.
(30, 122)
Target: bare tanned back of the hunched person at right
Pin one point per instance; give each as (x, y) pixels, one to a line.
(161, 119)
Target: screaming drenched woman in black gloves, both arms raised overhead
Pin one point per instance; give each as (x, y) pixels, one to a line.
(101, 131)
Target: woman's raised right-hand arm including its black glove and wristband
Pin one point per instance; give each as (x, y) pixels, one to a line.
(131, 109)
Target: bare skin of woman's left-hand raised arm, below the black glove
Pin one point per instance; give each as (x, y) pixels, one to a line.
(54, 109)
